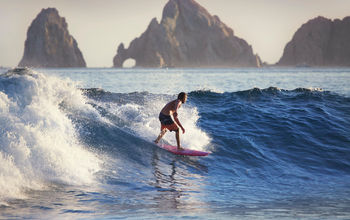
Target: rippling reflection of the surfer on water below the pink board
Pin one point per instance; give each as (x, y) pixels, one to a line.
(178, 188)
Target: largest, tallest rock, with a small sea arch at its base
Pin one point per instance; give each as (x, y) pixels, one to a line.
(187, 36)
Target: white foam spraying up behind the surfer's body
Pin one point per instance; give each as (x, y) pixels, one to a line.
(143, 120)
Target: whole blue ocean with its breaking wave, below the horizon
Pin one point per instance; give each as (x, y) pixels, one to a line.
(77, 144)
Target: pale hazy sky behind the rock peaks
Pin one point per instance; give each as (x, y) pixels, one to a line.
(99, 26)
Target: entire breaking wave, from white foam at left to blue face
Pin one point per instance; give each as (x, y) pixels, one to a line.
(55, 132)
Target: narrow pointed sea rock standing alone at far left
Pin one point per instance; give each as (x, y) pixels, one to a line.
(49, 43)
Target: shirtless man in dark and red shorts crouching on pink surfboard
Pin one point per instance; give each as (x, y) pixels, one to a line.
(167, 122)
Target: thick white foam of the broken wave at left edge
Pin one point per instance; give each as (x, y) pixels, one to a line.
(38, 142)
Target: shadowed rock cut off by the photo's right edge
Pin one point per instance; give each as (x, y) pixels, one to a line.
(319, 42)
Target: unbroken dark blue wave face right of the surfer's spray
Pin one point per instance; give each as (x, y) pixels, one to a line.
(304, 130)
